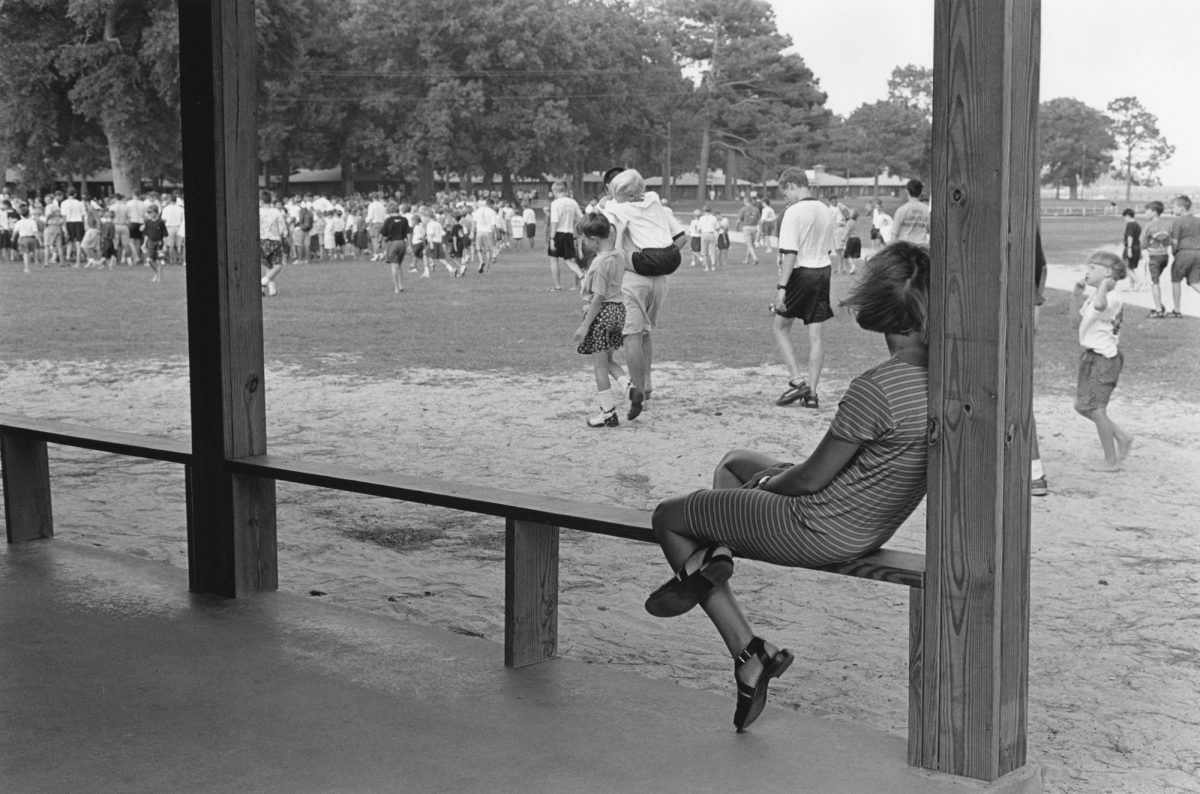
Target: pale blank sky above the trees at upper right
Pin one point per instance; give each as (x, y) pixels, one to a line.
(1094, 51)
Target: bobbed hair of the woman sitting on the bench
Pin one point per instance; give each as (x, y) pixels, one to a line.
(893, 297)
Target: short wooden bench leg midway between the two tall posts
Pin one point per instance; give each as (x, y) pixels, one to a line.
(531, 593)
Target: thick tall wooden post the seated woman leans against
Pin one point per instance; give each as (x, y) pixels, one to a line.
(985, 193)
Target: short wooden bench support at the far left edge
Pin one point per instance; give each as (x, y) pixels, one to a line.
(27, 489)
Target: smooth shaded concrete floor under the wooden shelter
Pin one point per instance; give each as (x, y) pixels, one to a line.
(115, 679)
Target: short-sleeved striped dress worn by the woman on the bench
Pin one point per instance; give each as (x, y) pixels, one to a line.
(886, 412)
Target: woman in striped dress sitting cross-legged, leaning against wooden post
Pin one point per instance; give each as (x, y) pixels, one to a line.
(845, 501)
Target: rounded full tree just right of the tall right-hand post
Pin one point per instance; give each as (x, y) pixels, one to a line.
(1076, 142)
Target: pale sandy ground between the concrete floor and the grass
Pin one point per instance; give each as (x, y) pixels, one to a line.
(1115, 639)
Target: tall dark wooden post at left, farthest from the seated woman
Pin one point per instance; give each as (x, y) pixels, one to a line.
(231, 525)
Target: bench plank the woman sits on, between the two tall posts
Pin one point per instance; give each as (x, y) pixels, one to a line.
(885, 566)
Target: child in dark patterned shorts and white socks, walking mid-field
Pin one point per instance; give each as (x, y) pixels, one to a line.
(604, 315)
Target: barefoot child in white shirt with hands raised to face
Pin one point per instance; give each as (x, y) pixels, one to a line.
(1101, 362)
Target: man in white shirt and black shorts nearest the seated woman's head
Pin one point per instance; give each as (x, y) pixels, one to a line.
(806, 239)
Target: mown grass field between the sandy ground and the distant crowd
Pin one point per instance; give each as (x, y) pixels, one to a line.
(344, 318)
